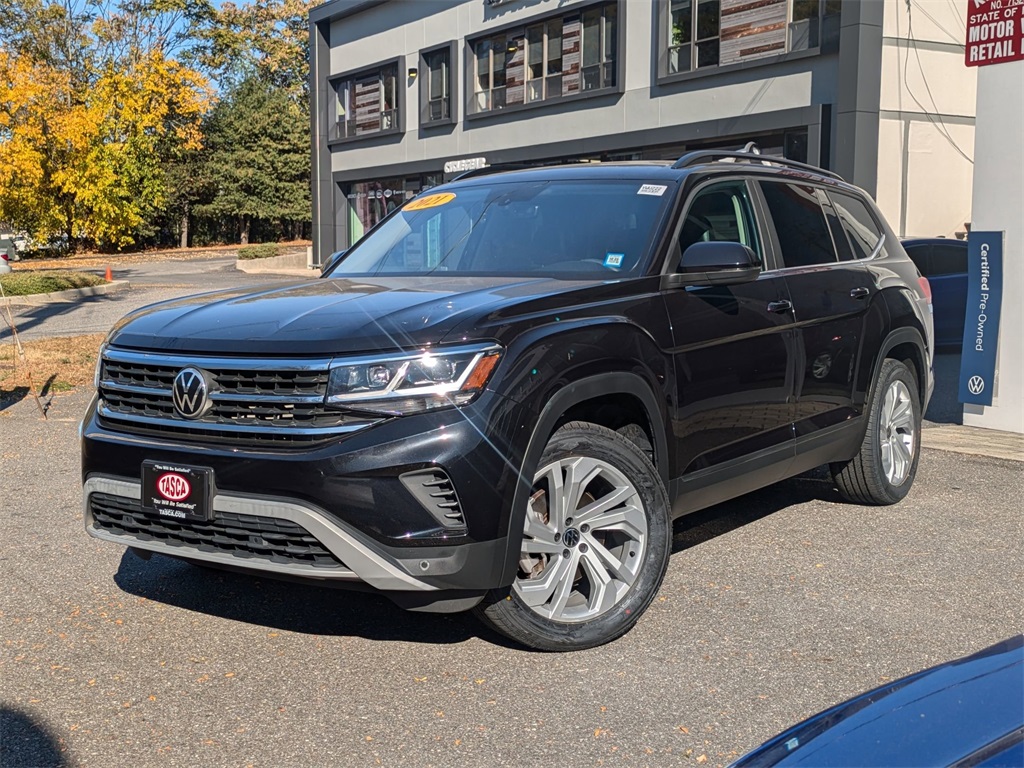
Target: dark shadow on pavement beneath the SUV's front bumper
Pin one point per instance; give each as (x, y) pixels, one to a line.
(292, 607)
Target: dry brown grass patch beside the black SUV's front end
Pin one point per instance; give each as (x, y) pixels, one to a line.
(56, 366)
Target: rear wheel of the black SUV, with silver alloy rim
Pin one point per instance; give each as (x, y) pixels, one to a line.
(883, 472)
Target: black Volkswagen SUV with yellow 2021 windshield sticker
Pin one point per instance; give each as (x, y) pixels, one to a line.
(503, 395)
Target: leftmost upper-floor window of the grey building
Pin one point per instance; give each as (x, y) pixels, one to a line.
(367, 103)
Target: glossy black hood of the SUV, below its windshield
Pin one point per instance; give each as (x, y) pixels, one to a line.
(328, 317)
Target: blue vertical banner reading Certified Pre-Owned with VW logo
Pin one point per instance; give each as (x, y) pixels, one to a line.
(982, 326)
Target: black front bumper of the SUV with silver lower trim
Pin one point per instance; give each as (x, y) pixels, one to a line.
(338, 513)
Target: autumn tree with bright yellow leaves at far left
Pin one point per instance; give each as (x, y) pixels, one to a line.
(93, 105)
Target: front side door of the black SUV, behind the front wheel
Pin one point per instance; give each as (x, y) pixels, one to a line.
(734, 347)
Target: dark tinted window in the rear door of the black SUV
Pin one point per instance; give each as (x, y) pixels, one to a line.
(800, 225)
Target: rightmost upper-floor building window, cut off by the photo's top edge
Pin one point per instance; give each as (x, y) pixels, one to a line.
(705, 34)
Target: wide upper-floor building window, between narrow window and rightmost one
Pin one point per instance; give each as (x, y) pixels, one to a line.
(561, 57)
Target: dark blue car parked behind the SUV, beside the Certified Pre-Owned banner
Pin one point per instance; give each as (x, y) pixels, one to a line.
(945, 264)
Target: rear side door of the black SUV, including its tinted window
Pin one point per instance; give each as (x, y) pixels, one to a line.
(831, 296)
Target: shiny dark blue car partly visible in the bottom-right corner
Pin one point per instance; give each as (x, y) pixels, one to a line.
(964, 713)
